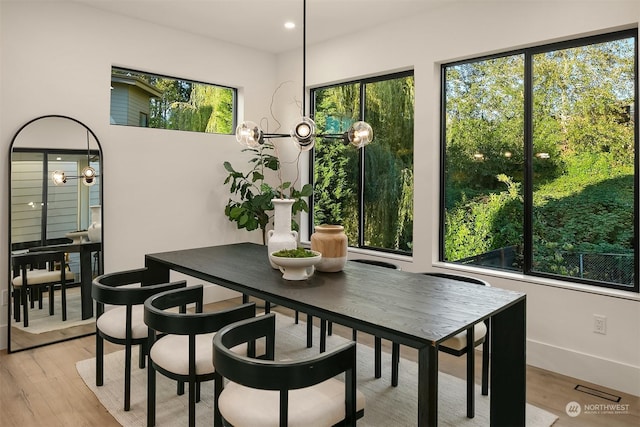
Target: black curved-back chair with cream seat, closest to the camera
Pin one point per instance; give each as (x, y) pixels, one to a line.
(263, 391)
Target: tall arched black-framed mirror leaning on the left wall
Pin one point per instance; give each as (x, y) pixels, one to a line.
(55, 197)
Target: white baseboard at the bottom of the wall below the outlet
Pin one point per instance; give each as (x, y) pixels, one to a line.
(608, 373)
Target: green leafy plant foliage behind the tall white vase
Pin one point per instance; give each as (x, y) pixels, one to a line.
(250, 204)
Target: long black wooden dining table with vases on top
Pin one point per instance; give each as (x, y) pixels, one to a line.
(411, 309)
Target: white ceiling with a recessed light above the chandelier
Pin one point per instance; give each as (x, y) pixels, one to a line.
(259, 24)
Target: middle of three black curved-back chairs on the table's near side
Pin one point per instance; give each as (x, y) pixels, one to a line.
(180, 342)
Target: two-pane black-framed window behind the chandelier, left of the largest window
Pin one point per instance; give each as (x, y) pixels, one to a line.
(369, 191)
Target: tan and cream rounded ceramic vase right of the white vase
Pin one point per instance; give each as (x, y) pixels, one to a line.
(331, 241)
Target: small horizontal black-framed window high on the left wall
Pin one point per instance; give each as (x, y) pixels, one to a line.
(162, 102)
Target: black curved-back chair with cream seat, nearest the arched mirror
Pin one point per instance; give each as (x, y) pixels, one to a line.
(120, 298)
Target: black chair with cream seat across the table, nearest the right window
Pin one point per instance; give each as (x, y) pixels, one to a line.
(457, 346)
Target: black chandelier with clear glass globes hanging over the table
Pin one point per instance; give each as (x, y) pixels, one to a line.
(303, 133)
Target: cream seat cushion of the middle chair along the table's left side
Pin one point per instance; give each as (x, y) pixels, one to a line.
(171, 352)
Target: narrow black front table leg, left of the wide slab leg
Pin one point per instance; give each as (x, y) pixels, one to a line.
(428, 386)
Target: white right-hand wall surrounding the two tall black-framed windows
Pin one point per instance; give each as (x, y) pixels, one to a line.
(560, 316)
